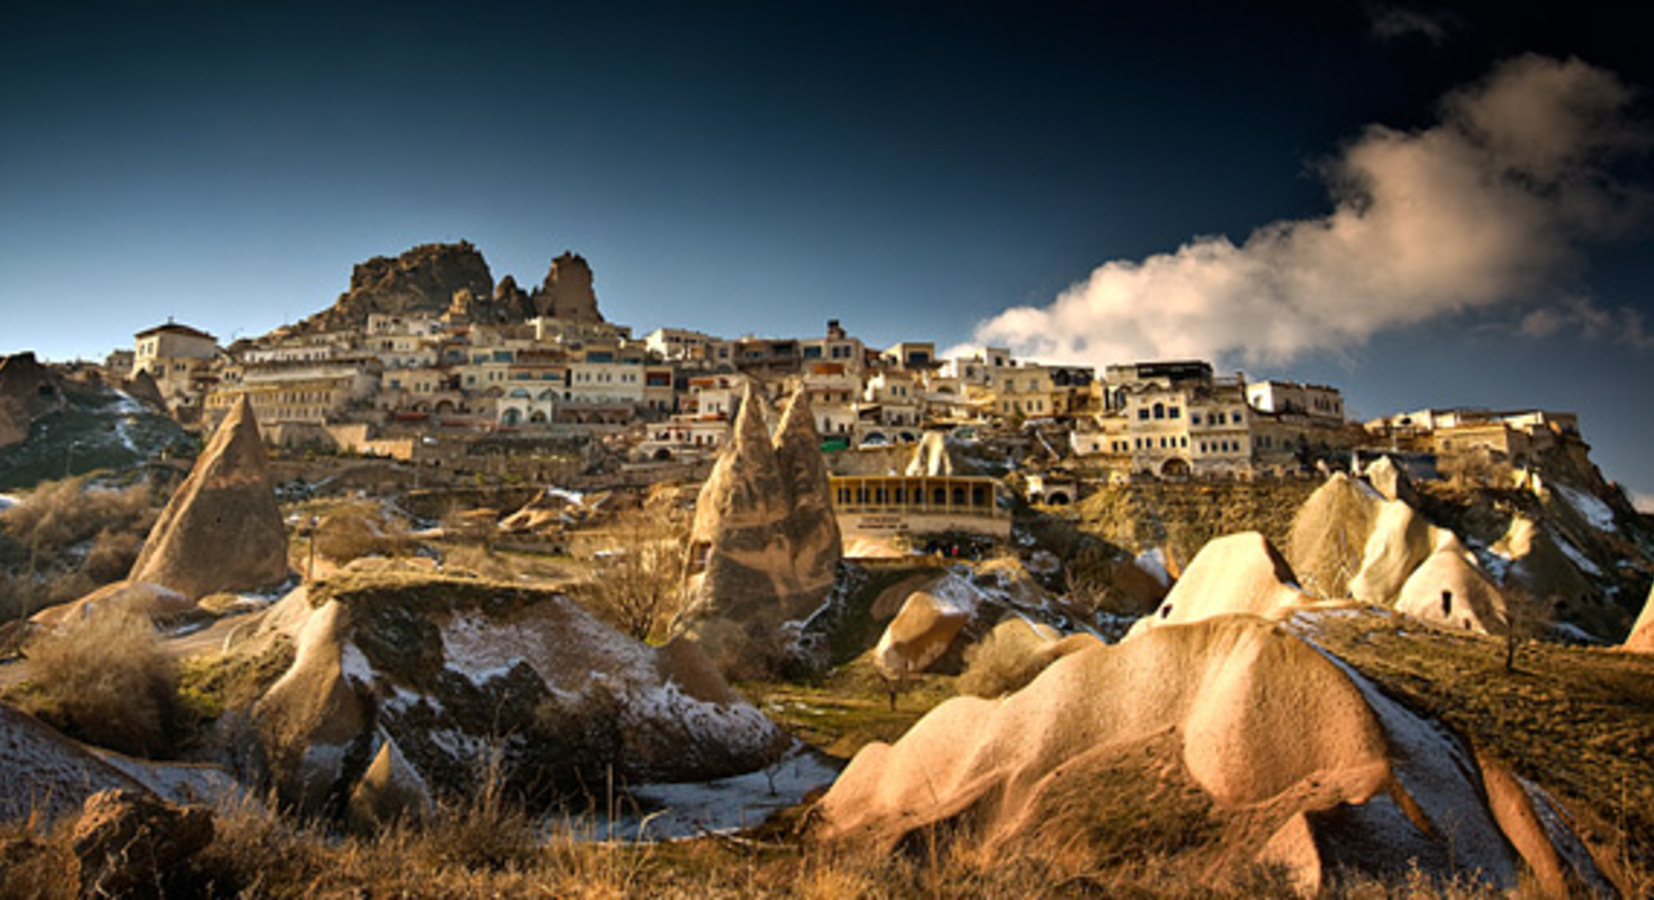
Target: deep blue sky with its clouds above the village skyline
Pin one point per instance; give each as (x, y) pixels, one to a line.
(1425, 206)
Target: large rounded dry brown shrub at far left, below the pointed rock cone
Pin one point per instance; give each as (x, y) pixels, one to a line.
(107, 682)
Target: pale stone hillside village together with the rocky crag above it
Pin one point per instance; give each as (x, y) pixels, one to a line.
(426, 360)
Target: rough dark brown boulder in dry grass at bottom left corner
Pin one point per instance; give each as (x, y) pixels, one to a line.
(130, 843)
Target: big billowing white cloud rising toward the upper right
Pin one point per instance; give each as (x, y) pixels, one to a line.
(1476, 213)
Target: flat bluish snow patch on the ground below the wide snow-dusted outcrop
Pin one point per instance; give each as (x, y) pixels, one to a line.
(671, 811)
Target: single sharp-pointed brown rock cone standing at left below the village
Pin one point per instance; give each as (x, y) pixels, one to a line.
(222, 530)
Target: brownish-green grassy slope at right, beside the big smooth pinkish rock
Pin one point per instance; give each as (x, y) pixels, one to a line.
(1579, 722)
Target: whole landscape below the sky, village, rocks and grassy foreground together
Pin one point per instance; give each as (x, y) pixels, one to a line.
(451, 563)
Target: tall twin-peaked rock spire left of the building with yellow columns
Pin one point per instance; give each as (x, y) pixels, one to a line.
(765, 542)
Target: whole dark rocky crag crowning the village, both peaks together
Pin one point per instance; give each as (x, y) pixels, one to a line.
(454, 277)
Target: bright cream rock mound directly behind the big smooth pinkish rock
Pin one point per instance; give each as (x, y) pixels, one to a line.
(1236, 573)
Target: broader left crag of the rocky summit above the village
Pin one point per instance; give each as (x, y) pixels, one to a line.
(421, 280)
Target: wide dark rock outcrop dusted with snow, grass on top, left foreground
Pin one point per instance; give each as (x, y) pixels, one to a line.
(404, 684)
